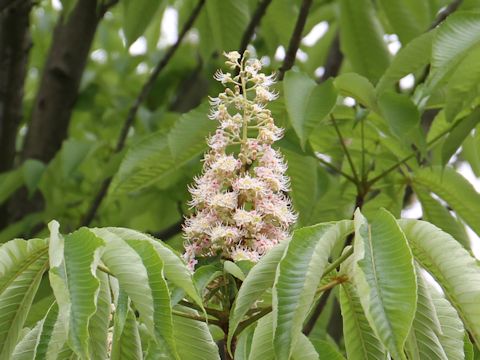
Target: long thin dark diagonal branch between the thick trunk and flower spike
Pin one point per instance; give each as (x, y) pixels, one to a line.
(147, 87)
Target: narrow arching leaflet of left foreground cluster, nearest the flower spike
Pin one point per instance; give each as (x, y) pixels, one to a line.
(174, 267)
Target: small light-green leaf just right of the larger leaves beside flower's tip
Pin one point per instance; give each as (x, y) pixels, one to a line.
(357, 87)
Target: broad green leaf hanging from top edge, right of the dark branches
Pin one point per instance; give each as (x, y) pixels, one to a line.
(361, 39)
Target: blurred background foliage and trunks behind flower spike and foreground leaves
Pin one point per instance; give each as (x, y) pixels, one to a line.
(378, 99)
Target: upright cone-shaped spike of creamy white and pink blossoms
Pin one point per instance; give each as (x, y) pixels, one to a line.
(240, 207)
